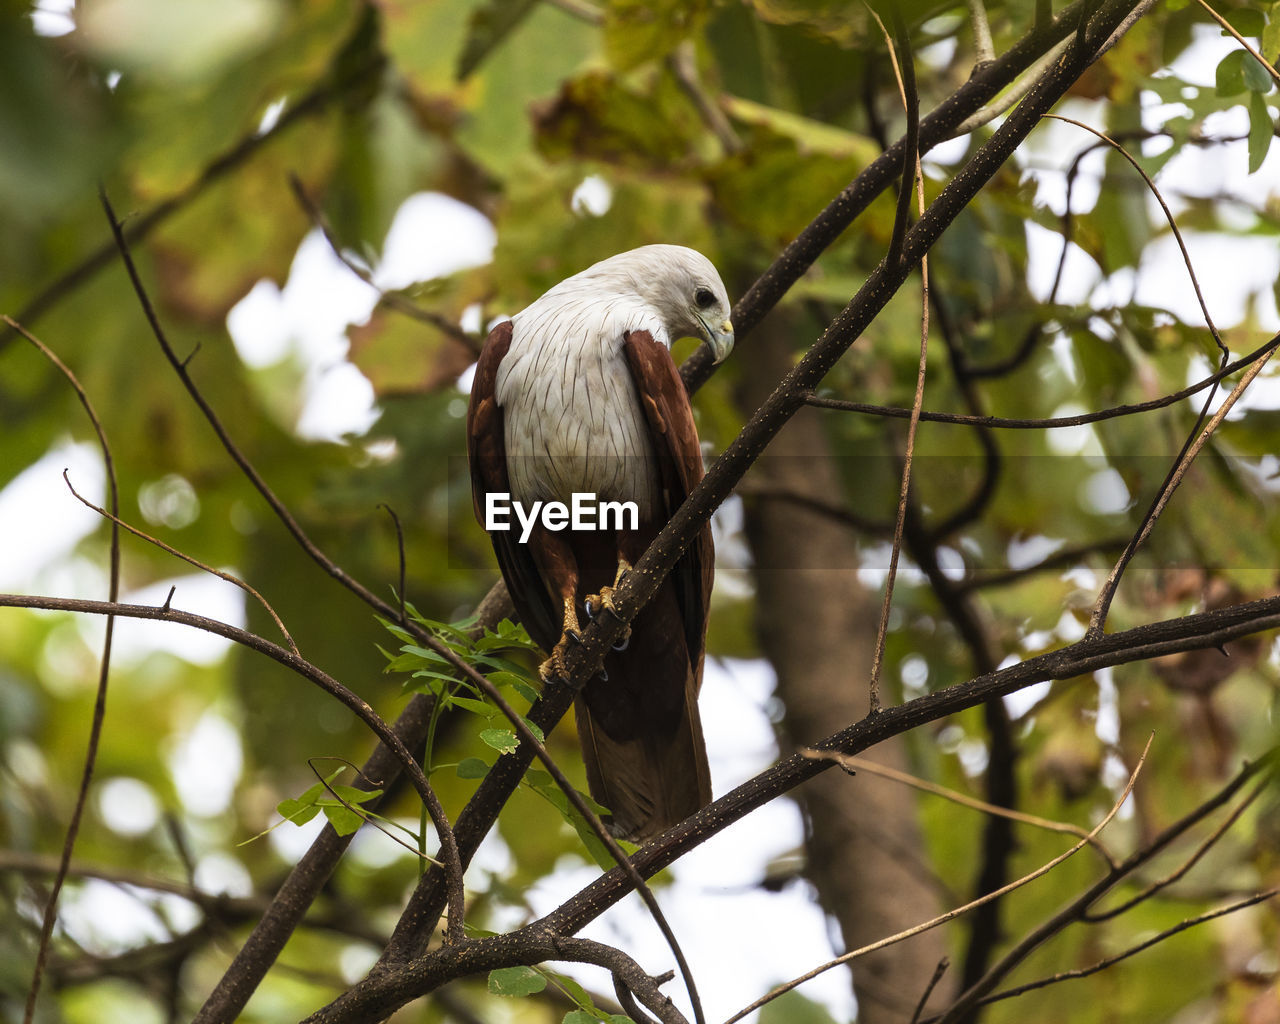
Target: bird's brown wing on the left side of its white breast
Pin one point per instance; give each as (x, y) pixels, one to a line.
(487, 452)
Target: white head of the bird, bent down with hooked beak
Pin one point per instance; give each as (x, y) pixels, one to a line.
(680, 285)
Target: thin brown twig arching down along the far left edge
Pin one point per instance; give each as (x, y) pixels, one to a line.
(95, 732)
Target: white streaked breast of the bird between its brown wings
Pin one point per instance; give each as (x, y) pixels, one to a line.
(573, 418)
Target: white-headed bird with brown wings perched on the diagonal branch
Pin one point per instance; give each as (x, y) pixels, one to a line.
(578, 394)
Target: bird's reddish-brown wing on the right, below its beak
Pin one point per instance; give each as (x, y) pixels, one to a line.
(680, 460)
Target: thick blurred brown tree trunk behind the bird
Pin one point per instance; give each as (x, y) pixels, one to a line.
(817, 625)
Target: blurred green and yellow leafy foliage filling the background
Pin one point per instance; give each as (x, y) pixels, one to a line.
(728, 127)
